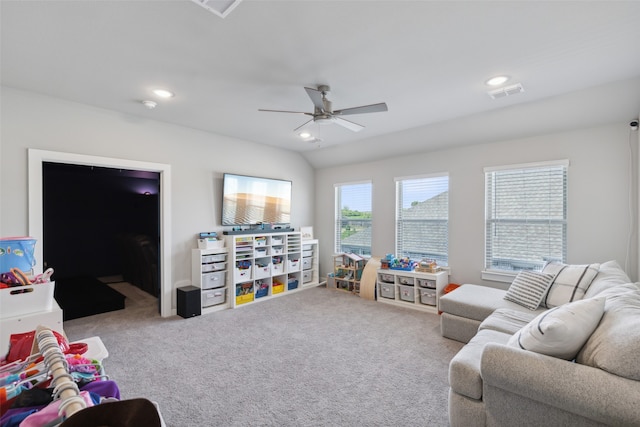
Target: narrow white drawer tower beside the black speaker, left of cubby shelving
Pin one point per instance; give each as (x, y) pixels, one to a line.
(209, 269)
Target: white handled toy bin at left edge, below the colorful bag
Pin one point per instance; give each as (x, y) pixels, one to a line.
(21, 300)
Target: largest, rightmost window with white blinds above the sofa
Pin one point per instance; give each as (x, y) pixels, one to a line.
(526, 216)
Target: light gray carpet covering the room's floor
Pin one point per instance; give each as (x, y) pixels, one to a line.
(319, 357)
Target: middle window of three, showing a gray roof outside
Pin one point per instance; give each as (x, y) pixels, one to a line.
(422, 218)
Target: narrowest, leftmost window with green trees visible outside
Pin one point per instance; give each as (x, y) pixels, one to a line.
(353, 218)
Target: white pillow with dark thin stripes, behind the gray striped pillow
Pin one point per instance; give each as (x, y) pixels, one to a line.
(570, 282)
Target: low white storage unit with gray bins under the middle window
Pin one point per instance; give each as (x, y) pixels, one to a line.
(421, 291)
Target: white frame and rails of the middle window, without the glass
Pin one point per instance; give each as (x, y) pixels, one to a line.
(401, 251)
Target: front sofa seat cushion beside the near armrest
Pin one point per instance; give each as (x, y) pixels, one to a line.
(464, 368)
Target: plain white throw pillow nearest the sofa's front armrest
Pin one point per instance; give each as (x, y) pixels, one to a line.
(561, 331)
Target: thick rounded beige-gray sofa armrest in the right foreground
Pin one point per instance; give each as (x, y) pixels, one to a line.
(582, 390)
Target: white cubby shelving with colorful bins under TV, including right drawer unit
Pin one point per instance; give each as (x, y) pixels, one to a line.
(276, 266)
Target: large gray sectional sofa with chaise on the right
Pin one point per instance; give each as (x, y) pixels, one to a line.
(495, 382)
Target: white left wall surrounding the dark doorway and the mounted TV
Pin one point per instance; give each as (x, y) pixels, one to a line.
(197, 161)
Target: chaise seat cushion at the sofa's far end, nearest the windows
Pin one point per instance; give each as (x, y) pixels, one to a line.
(477, 302)
